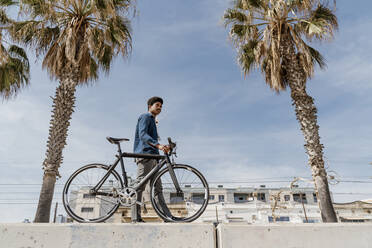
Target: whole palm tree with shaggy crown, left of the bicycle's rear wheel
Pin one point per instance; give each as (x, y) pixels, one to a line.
(78, 38)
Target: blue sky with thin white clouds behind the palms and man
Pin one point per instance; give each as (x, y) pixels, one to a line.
(235, 130)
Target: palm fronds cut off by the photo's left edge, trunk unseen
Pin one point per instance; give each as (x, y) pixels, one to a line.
(14, 64)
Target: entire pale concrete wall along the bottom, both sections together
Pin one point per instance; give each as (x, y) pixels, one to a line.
(185, 235)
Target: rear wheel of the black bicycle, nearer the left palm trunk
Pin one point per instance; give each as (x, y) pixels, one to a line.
(85, 206)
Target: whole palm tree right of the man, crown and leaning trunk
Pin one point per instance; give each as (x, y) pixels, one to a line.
(272, 35)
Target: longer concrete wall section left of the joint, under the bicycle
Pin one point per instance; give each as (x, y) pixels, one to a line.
(106, 235)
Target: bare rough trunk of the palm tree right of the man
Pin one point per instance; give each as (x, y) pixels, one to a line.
(306, 114)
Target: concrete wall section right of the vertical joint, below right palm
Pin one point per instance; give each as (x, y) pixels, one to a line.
(295, 236)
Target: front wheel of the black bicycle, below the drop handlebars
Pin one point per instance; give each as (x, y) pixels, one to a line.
(184, 206)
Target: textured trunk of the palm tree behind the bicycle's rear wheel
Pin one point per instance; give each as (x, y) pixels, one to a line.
(63, 105)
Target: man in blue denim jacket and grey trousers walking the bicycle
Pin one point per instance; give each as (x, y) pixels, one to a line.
(146, 132)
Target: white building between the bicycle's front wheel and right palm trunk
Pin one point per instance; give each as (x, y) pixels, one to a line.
(262, 205)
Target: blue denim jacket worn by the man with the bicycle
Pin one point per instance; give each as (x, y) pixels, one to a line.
(146, 132)
